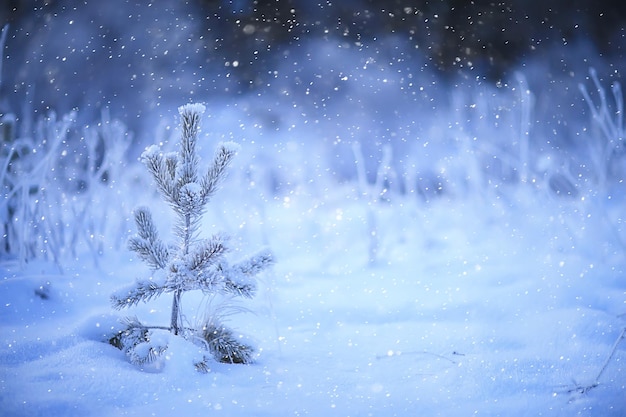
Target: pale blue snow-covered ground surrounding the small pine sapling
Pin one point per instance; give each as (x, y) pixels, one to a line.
(472, 309)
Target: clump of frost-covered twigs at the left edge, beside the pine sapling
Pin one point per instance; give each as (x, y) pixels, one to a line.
(57, 188)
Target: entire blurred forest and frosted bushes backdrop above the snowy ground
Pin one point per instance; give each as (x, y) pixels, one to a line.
(424, 98)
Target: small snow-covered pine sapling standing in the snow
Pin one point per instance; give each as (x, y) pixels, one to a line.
(191, 263)
